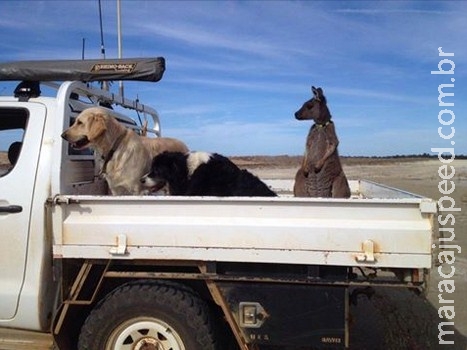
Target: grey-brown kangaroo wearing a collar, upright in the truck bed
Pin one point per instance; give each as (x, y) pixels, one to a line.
(320, 174)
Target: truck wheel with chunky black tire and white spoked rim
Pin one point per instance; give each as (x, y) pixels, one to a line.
(149, 315)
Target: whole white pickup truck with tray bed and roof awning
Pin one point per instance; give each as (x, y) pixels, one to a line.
(84, 270)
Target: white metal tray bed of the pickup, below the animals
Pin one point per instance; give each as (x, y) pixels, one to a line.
(377, 227)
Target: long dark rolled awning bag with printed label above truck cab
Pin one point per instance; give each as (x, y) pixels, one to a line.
(139, 69)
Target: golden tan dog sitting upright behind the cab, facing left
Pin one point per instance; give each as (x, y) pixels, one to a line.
(125, 157)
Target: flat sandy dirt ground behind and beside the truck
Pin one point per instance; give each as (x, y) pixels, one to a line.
(395, 318)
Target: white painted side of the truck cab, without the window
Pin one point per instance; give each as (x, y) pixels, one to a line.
(24, 297)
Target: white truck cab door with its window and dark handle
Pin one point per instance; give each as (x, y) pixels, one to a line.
(21, 131)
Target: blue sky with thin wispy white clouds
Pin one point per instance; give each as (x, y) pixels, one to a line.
(238, 70)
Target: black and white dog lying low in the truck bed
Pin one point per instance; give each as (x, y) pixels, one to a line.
(202, 174)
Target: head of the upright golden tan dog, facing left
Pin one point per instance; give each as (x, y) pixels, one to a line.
(89, 126)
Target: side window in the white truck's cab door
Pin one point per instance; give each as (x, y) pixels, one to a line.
(13, 123)
